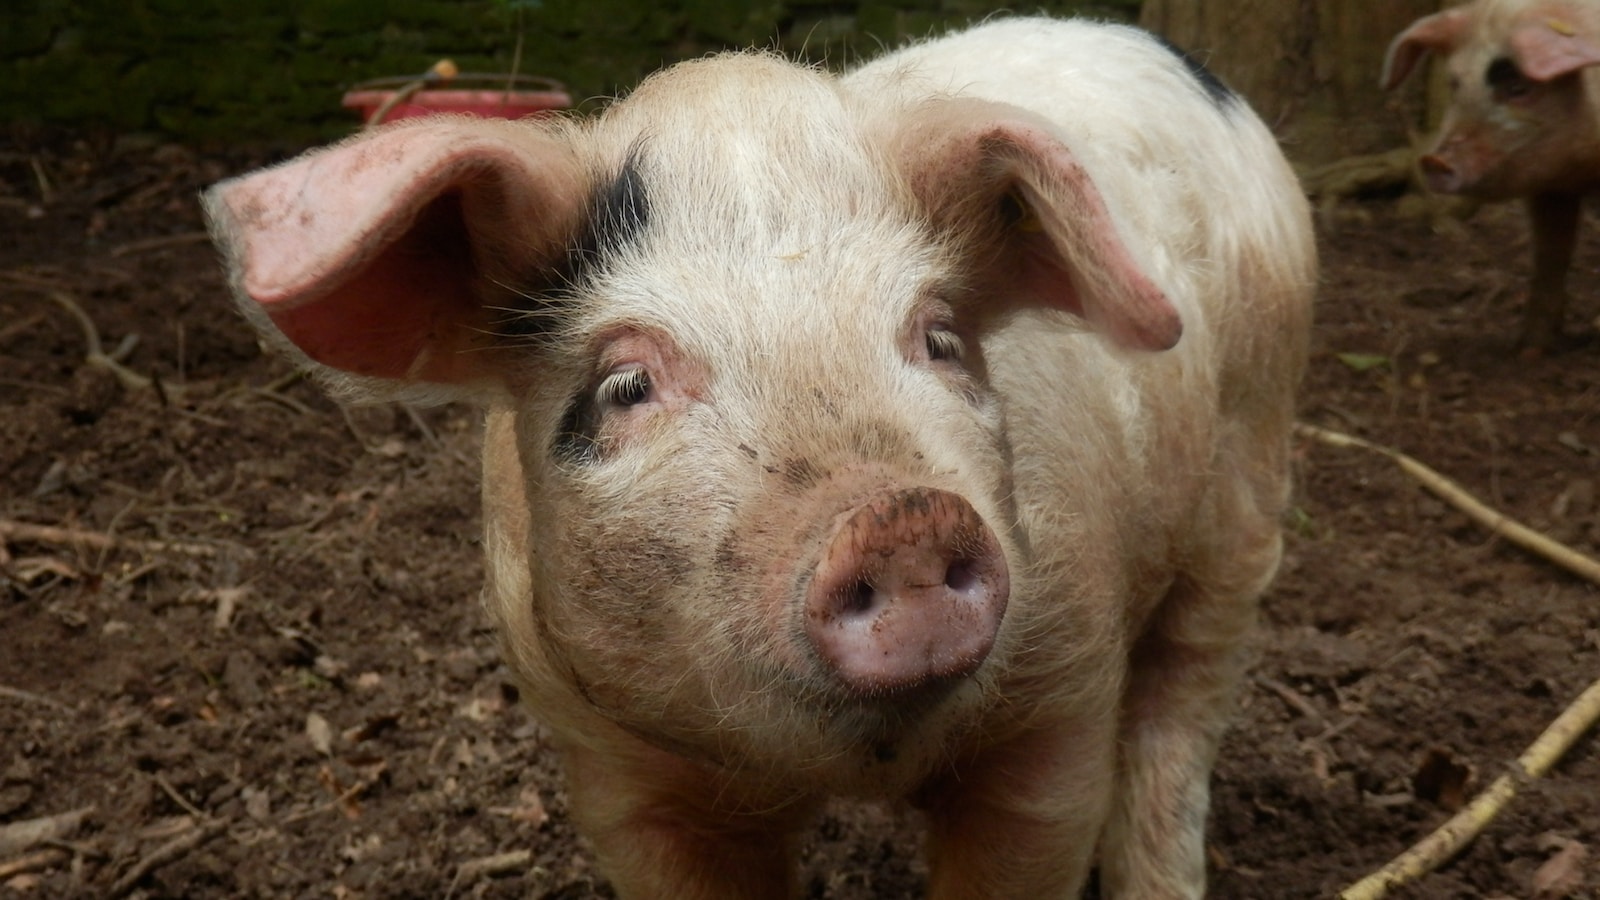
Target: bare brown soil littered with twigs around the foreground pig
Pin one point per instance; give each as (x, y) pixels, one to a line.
(276, 680)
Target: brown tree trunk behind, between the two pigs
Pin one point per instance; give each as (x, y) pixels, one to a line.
(1308, 66)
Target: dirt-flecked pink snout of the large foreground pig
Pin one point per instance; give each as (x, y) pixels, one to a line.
(910, 592)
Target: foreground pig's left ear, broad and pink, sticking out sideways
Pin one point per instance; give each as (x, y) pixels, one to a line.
(375, 257)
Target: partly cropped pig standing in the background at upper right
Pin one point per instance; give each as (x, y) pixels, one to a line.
(1524, 123)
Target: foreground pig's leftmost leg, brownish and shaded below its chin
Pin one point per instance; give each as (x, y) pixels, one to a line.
(660, 830)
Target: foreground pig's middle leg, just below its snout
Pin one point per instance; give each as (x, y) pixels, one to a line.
(1023, 819)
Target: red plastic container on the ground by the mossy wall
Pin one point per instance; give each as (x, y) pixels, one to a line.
(487, 97)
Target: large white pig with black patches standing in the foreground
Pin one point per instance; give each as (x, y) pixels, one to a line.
(918, 435)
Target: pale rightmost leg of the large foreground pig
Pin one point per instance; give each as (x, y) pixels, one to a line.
(1183, 680)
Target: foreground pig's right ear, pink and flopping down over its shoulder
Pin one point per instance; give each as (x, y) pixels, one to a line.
(970, 163)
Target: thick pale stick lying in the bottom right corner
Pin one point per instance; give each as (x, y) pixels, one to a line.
(1462, 829)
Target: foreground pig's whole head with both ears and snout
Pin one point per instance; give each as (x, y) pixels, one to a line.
(748, 470)
